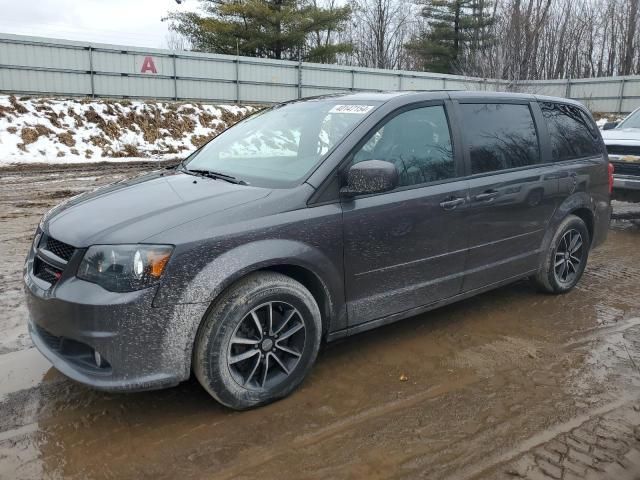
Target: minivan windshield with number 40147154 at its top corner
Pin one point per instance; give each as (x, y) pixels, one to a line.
(278, 147)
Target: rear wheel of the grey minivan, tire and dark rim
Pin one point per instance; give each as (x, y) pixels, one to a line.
(561, 271)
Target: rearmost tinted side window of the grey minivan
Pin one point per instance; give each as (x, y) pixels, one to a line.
(571, 134)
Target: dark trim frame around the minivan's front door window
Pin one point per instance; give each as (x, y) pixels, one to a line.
(341, 169)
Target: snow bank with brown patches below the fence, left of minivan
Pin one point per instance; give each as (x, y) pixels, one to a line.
(82, 130)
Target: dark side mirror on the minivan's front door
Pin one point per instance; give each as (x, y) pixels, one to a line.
(371, 176)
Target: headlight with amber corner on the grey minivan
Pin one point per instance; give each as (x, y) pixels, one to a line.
(124, 268)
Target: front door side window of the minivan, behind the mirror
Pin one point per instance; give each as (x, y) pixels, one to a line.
(417, 142)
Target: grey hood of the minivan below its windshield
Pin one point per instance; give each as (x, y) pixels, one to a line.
(133, 210)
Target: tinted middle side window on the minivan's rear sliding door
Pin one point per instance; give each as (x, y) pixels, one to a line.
(500, 136)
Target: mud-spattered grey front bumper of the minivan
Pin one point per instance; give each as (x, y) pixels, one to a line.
(142, 347)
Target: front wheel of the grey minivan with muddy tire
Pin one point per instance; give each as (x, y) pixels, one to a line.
(231, 354)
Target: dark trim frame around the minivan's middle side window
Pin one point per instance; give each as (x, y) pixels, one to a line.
(464, 138)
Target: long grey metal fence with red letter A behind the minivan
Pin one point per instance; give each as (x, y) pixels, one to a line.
(34, 65)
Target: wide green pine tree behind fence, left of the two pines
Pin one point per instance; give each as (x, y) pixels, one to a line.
(262, 28)
